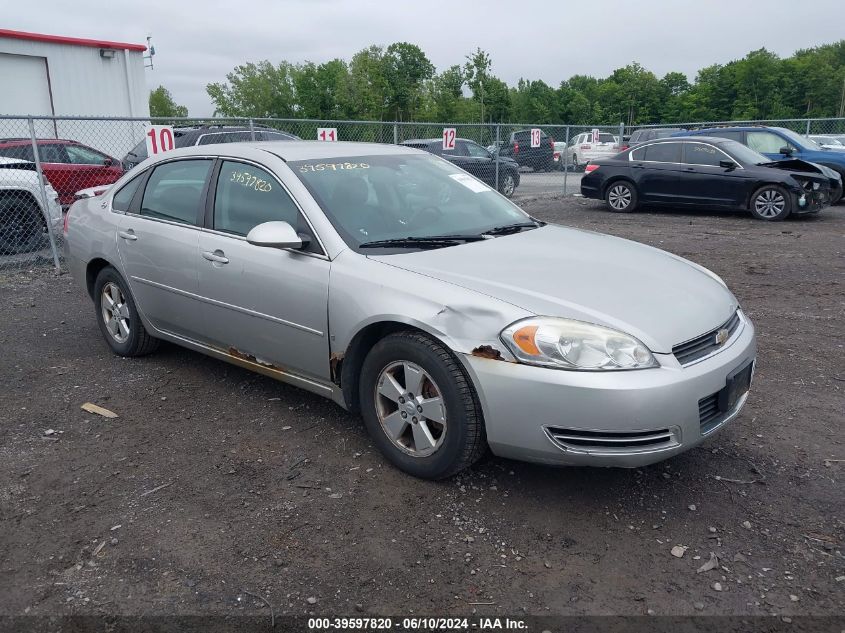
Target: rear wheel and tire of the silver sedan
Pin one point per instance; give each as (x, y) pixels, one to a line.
(124, 331)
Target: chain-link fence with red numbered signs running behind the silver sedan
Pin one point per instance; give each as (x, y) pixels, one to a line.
(45, 162)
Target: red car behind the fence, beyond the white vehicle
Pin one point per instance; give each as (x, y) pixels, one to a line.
(68, 166)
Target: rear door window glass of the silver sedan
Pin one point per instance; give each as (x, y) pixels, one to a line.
(174, 191)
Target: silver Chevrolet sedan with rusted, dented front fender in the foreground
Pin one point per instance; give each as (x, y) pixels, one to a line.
(401, 287)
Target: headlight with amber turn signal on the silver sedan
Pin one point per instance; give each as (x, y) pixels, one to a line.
(576, 345)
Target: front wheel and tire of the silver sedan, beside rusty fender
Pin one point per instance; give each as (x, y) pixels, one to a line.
(434, 447)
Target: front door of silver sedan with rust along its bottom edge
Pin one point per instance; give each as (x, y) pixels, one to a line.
(265, 305)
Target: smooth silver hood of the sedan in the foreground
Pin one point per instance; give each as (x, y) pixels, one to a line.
(658, 297)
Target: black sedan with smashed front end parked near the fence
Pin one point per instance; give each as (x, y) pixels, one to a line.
(706, 172)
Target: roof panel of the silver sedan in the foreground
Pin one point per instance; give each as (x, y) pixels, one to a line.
(297, 150)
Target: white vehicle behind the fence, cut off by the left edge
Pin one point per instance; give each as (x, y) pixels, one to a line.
(22, 216)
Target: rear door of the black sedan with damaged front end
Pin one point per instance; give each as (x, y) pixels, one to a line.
(656, 169)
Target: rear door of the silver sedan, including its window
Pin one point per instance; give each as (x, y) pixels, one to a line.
(158, 240)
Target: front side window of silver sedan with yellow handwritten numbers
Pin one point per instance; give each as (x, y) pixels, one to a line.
(248, 196)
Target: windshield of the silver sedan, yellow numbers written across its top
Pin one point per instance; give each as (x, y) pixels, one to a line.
(397, 196)
